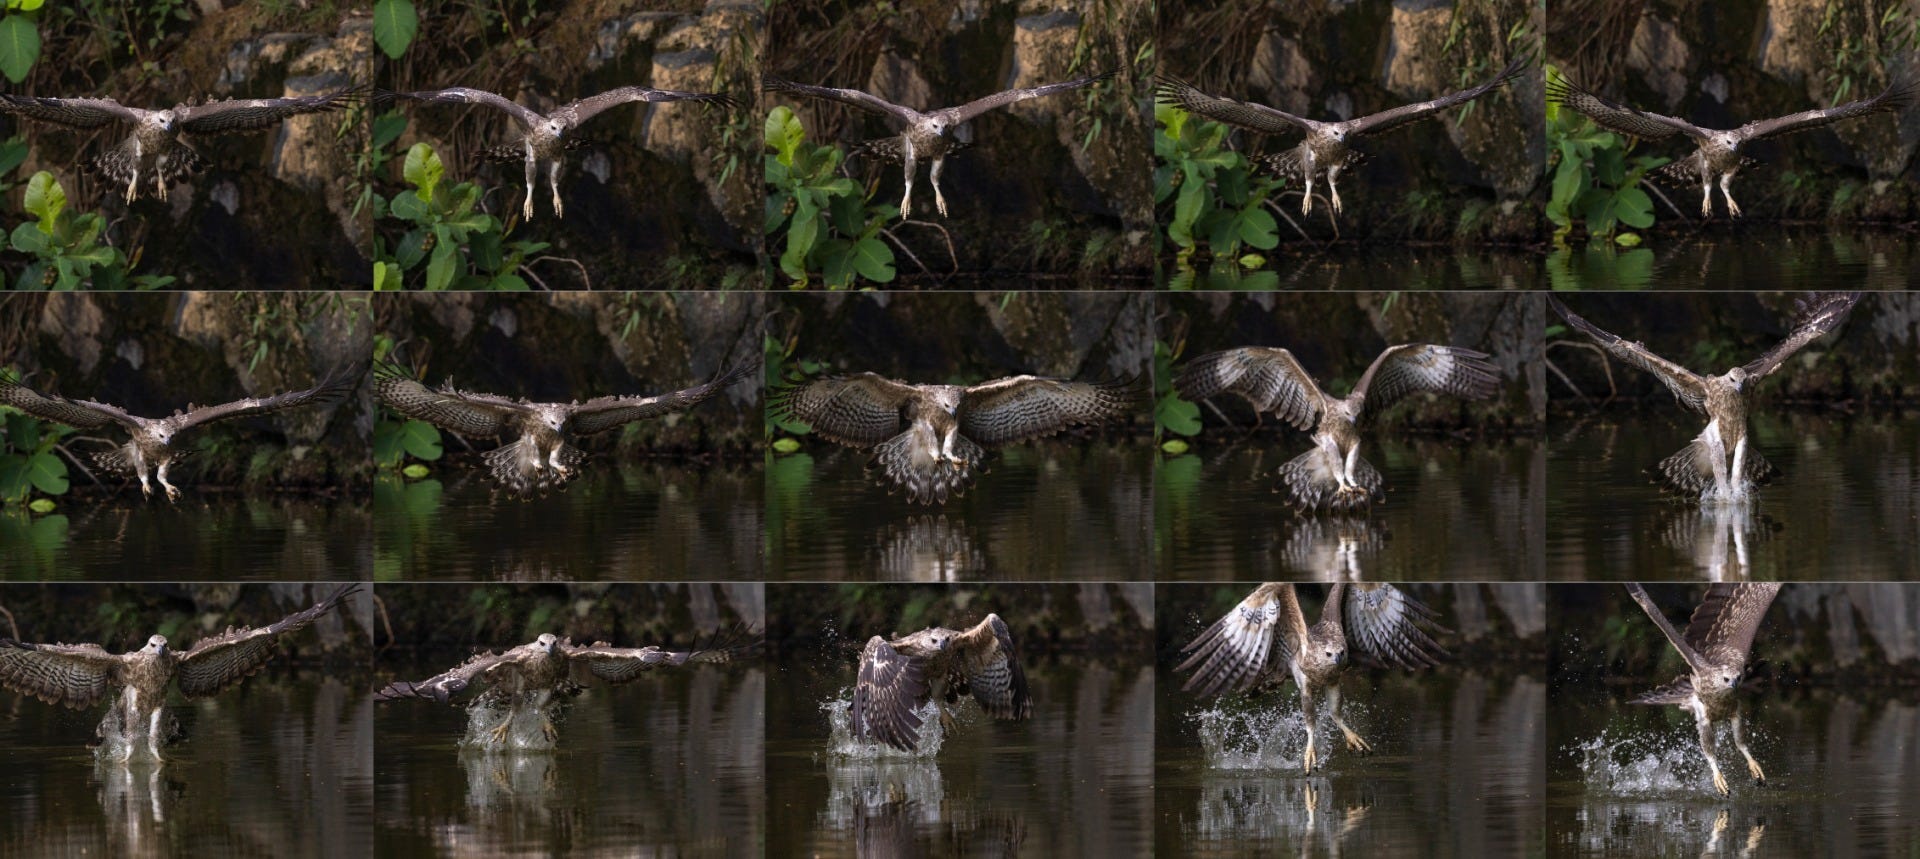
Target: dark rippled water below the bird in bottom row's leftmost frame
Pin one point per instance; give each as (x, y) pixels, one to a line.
(279, 768)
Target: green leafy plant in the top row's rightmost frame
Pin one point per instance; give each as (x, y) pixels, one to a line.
(1596, 182)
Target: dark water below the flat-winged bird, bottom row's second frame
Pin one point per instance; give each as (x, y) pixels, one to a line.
(665, 766)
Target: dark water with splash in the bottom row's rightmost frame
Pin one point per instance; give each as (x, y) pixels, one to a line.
(1631, 781)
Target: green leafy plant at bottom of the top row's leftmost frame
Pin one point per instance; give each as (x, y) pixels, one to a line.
(66, 247)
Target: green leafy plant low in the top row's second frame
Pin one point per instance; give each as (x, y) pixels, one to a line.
(464, 249)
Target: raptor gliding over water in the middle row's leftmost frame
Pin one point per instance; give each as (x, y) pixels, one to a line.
(153, 439)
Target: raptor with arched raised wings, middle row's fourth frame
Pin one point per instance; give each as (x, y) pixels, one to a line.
(1333, 474)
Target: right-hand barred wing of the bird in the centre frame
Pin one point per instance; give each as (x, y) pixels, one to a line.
(1019, 408)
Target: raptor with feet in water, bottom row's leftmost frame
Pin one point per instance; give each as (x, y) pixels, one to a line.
(82, 675)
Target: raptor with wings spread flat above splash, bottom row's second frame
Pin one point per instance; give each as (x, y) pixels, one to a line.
(525, 679)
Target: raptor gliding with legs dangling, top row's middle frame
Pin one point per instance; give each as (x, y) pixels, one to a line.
(924, 137)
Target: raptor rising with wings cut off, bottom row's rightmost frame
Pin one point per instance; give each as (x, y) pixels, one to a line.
(1716, 650)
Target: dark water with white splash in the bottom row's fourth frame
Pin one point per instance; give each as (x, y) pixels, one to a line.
(1456, 772)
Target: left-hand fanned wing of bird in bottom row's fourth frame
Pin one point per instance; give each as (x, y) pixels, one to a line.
(1237, 650)
